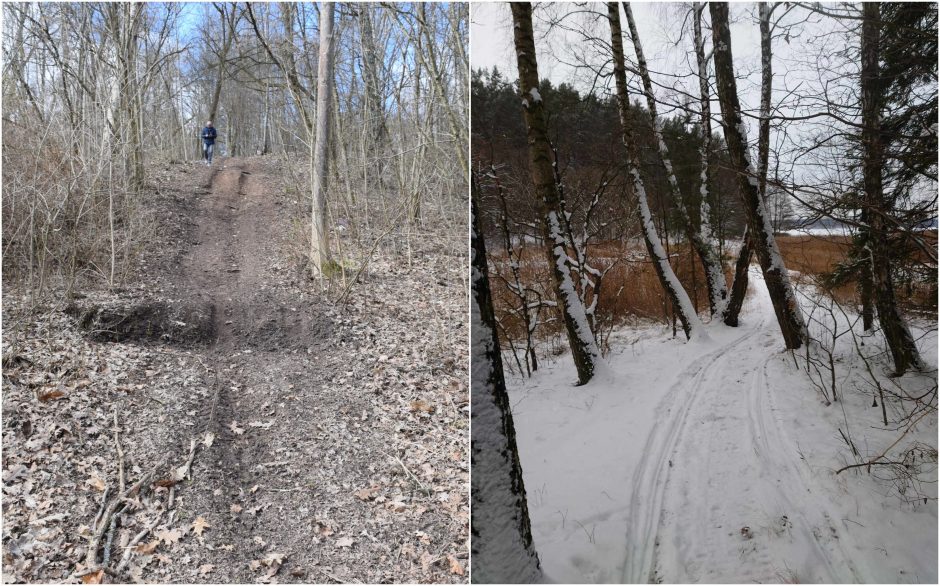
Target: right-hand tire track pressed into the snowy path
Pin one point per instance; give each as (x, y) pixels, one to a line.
(774, 453)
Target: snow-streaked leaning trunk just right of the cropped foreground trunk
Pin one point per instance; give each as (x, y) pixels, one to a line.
(584, 349)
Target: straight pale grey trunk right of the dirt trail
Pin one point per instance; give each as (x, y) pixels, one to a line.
(319, 237)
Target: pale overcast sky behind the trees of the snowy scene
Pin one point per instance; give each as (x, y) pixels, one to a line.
(802, 48)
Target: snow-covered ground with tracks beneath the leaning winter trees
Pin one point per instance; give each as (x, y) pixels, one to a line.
(715, 462)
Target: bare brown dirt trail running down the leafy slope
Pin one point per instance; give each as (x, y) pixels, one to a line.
(257, 359)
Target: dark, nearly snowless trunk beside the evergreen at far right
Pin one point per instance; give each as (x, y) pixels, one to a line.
(900, 342)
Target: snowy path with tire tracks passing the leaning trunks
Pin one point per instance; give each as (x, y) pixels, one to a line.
(737, 503)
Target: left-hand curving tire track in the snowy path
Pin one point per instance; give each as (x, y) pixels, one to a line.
(649, 480)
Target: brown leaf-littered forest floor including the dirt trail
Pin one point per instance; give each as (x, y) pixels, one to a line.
(353, 399)
